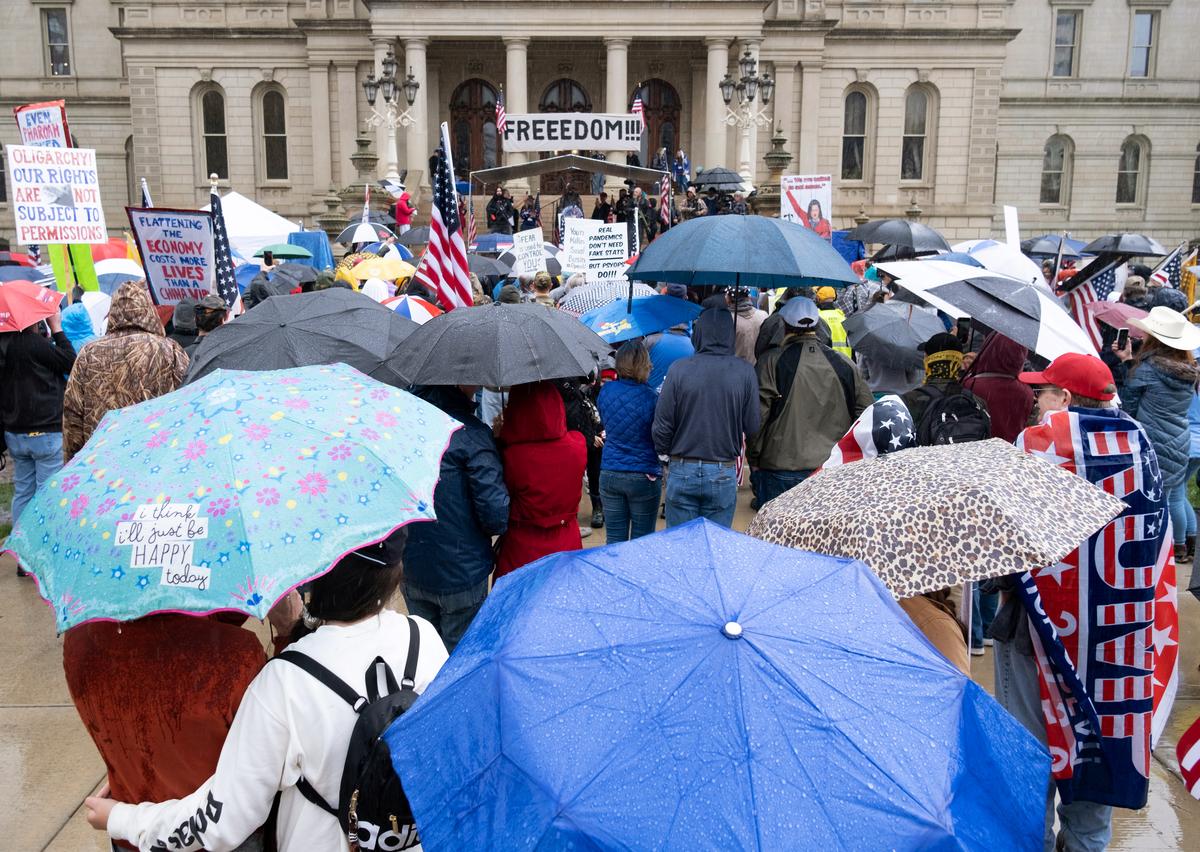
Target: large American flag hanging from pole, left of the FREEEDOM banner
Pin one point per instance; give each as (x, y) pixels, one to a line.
(443, 267)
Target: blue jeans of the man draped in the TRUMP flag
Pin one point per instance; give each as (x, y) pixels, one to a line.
(1085, 826)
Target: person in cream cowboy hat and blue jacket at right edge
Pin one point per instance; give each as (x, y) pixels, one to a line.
(1160, 387)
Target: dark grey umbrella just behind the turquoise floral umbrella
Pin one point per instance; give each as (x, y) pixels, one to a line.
(302, 331)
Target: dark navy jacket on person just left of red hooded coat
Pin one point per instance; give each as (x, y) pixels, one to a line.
(454, 554)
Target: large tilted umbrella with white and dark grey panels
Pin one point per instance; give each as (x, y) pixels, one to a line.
(1007, 305)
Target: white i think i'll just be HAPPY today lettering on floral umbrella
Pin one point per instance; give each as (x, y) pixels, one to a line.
(164, 536)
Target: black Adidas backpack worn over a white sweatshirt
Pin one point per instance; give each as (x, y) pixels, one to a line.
(373, 807)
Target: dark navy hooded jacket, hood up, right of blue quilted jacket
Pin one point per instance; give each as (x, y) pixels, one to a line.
(711, 400)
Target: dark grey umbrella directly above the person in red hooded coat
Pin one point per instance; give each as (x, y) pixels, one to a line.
(500, 347)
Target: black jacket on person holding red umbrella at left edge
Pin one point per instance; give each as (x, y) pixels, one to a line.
(33, 380)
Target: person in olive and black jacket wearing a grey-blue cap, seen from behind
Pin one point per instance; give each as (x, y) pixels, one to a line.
(809, 397)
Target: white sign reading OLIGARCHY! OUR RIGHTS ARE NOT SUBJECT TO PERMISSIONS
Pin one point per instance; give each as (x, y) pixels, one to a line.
(56, 195)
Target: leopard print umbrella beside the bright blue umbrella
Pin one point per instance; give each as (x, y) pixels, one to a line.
(931, 518)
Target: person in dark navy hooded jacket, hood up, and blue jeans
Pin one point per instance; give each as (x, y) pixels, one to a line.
(707, 411)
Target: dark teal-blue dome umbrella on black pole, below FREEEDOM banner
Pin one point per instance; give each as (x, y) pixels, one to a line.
(747, 251)
